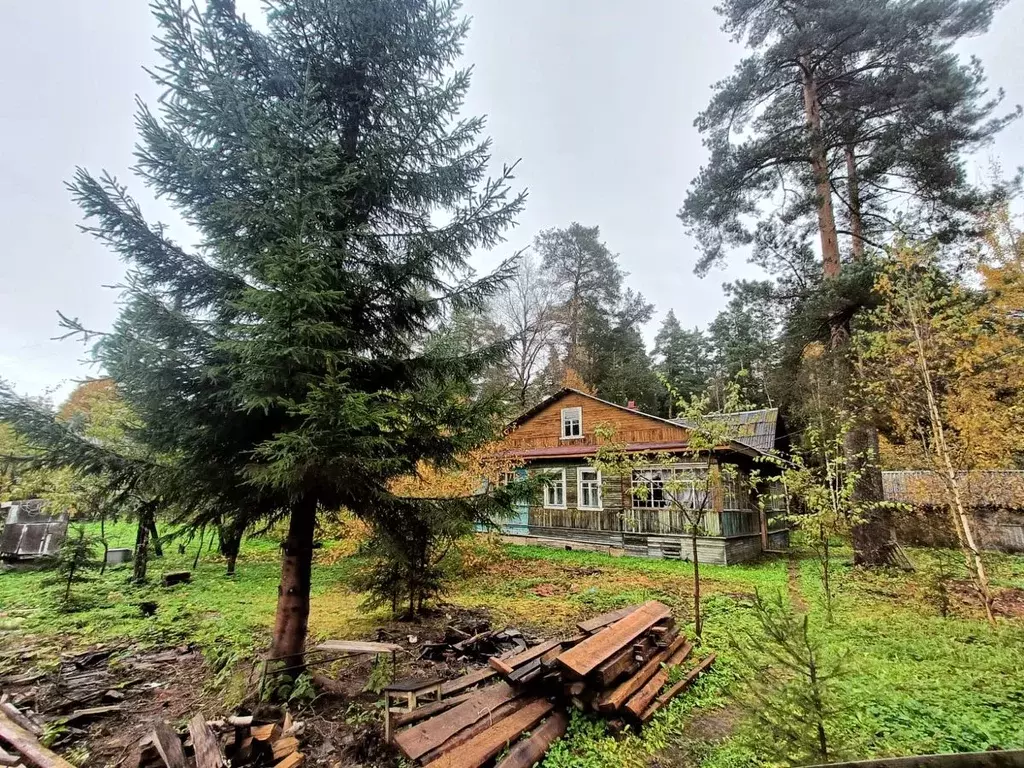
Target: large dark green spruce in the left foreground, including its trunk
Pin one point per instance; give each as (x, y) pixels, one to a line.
(336, 196)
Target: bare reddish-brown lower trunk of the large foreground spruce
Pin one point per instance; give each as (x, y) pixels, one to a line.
(293, 595)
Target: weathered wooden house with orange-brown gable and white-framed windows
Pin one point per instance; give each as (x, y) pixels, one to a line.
(638, 515)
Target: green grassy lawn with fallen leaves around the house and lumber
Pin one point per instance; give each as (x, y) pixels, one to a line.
(914, 681)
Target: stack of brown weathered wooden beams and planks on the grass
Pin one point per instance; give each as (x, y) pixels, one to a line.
(618, 666)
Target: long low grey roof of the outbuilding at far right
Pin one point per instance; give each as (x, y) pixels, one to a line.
(983, 488)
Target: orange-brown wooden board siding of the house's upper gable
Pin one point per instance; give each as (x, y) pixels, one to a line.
(544, 430)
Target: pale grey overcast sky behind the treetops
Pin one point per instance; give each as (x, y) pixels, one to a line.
(596, 97)
